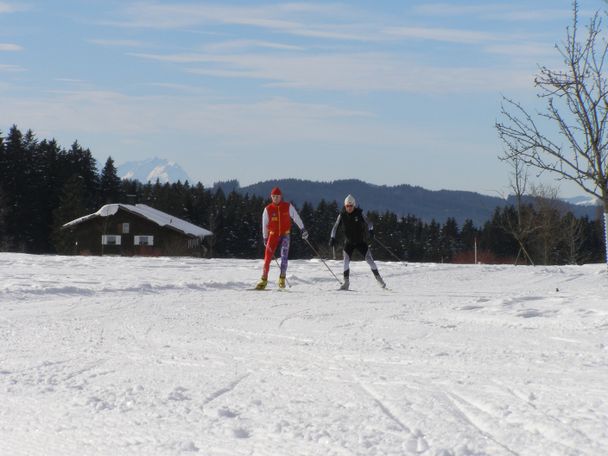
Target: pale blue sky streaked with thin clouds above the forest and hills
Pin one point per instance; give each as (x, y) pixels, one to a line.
(390, 92)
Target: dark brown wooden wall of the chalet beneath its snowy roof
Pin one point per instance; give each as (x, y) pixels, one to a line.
(86, 237)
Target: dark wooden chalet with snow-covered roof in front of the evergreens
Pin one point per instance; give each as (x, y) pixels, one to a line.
(125, 229)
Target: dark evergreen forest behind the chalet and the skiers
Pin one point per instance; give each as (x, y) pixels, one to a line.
(43, 186)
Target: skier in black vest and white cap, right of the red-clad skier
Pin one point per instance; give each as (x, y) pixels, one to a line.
(357, 231)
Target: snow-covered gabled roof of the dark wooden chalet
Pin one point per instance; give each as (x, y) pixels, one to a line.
(154, 215)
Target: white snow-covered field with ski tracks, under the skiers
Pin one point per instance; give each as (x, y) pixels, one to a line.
(165, 356)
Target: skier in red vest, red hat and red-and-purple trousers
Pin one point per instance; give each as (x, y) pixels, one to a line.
(276, 228)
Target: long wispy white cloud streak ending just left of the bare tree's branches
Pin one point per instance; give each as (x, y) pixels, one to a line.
(360, 72)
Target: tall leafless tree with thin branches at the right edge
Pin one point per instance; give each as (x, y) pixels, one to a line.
(569, 137)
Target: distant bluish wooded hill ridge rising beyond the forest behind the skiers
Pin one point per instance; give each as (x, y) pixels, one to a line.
(400, 199)
